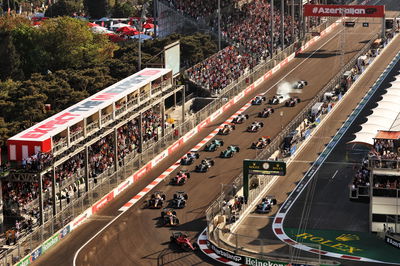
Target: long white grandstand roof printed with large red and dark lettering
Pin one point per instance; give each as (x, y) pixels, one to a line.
(95, 103)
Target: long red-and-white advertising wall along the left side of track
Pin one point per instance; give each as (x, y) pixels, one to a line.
(235, 97)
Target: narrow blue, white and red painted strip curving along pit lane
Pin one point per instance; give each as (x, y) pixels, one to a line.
(280, 216)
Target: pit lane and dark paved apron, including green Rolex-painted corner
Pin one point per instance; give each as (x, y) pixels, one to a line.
(319, 213)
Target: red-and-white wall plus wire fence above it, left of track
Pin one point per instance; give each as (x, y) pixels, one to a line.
(90, 202)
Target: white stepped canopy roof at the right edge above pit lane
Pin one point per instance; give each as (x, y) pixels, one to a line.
(385, 118)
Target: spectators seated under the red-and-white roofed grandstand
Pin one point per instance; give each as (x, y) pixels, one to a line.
(20, 197)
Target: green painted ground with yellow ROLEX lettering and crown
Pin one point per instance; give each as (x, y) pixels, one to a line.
(359, 244)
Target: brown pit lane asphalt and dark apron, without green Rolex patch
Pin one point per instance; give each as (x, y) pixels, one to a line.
(328, 202)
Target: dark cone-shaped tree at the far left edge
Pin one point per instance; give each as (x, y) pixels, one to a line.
(10, 65)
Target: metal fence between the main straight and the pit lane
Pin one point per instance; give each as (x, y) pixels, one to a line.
(218, 222)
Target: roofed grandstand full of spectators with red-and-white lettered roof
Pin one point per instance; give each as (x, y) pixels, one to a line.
(66, 155)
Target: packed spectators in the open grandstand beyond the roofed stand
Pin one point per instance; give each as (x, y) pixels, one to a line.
(247, 28)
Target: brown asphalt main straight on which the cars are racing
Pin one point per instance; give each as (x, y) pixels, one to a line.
(135, 239)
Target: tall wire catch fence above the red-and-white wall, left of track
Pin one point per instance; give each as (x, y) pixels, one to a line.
(110, 179)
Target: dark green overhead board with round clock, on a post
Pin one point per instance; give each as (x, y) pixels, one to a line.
(260, 167)
